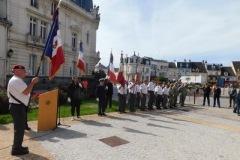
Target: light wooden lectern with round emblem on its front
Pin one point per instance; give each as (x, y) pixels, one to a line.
(47, 112)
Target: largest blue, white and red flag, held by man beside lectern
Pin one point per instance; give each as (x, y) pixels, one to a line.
(53, 47)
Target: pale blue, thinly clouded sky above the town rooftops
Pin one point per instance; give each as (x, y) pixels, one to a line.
(170, 30)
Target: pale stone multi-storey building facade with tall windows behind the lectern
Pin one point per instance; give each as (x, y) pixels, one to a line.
(24, 27)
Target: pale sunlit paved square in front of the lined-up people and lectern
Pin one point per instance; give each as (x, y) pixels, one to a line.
(190, 132)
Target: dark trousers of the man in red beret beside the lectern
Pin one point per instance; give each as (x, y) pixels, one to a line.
(18, 113)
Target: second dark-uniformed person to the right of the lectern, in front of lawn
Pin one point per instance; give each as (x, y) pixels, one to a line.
(101, 96)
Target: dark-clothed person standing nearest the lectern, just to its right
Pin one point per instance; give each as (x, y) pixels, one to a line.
(74, 96)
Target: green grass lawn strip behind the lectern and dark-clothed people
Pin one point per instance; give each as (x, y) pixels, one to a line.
(88, 107)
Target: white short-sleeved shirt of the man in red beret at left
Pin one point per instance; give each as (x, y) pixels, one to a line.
(16, 86)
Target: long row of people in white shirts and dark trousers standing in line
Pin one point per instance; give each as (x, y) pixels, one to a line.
(160, 94)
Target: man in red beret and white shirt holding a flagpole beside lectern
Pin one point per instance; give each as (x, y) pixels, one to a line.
(19, 93)
